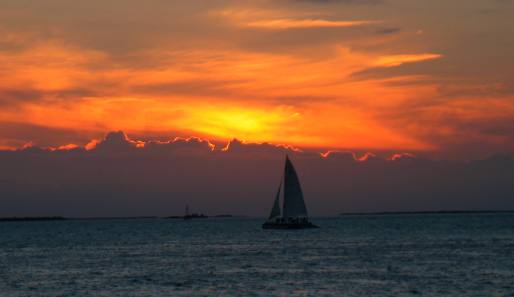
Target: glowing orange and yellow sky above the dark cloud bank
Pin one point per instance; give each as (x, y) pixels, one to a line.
(428, 77)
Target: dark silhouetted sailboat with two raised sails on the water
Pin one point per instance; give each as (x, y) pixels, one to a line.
(294, 212)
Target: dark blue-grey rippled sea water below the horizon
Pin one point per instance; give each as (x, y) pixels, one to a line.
(393, 255)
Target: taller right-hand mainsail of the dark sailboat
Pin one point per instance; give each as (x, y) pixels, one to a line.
(294, 205)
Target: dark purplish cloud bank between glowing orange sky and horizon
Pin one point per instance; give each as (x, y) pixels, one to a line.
(122, 177)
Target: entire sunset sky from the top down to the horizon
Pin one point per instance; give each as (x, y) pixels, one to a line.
(127, 108)
